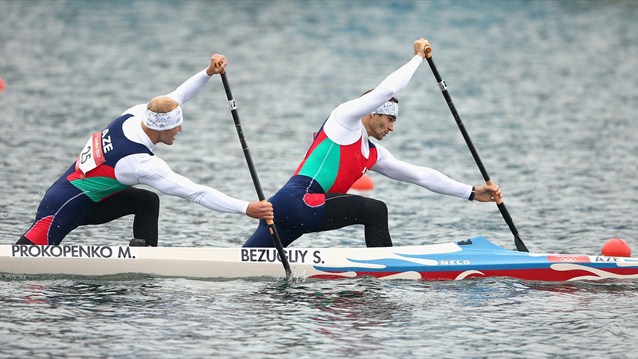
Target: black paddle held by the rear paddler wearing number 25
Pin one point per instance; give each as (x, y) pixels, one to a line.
(253, 174)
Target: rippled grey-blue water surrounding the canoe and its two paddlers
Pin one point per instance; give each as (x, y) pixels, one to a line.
(547, 91)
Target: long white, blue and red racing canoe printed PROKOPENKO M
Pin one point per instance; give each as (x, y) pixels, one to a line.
(476, 257)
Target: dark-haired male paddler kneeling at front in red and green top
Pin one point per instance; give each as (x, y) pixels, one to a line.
(315, 198)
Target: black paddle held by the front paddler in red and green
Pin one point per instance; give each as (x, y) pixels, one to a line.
(520, 246)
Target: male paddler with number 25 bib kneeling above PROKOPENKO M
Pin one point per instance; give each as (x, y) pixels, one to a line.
(97, 187)
